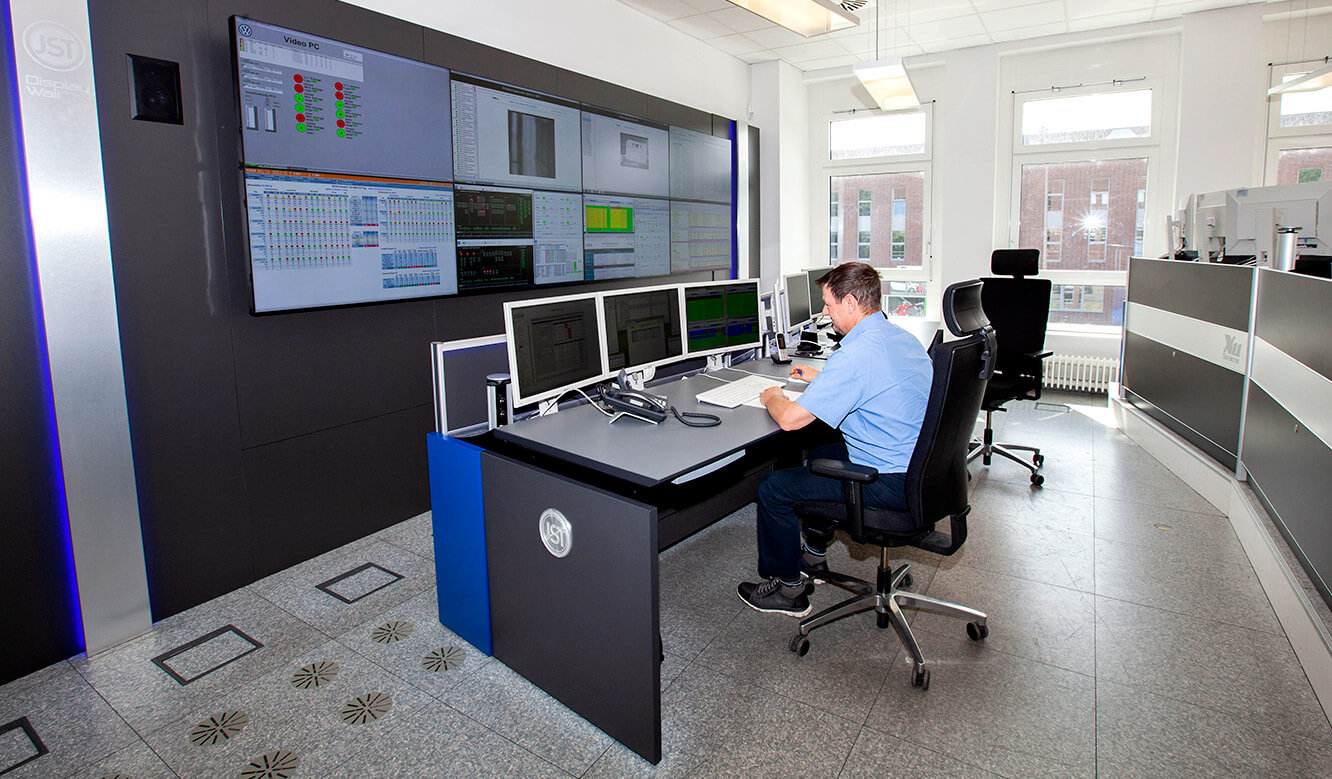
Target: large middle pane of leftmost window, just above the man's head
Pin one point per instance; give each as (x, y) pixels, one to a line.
(889, 226)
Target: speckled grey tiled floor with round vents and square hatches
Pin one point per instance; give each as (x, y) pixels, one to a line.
(1129, 639)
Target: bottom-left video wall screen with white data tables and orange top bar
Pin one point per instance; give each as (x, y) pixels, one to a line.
(324, 240)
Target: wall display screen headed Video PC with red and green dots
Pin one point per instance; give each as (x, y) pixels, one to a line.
(316, 105)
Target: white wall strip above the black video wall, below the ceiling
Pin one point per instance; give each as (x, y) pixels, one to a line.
(604, 39)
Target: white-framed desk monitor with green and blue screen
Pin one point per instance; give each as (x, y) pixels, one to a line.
(721, 316)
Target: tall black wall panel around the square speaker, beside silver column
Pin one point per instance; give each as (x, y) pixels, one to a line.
(175, 304)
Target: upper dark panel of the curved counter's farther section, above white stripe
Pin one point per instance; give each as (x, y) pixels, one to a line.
(1209, 292)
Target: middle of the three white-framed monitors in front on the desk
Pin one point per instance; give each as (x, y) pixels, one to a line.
(641, 328)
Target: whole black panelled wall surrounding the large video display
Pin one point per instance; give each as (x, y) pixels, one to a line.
(263, 441)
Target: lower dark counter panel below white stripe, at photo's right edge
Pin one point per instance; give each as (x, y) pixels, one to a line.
(1281, 456)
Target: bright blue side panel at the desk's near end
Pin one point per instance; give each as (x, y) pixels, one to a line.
(458, 515)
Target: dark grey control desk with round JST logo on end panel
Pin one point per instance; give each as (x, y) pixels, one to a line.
(575, 513)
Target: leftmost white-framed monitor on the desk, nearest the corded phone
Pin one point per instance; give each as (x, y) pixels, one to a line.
(553, 346)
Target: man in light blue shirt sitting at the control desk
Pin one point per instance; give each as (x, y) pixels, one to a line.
(874, 391)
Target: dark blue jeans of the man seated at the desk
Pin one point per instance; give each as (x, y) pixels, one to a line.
(780, 528)
